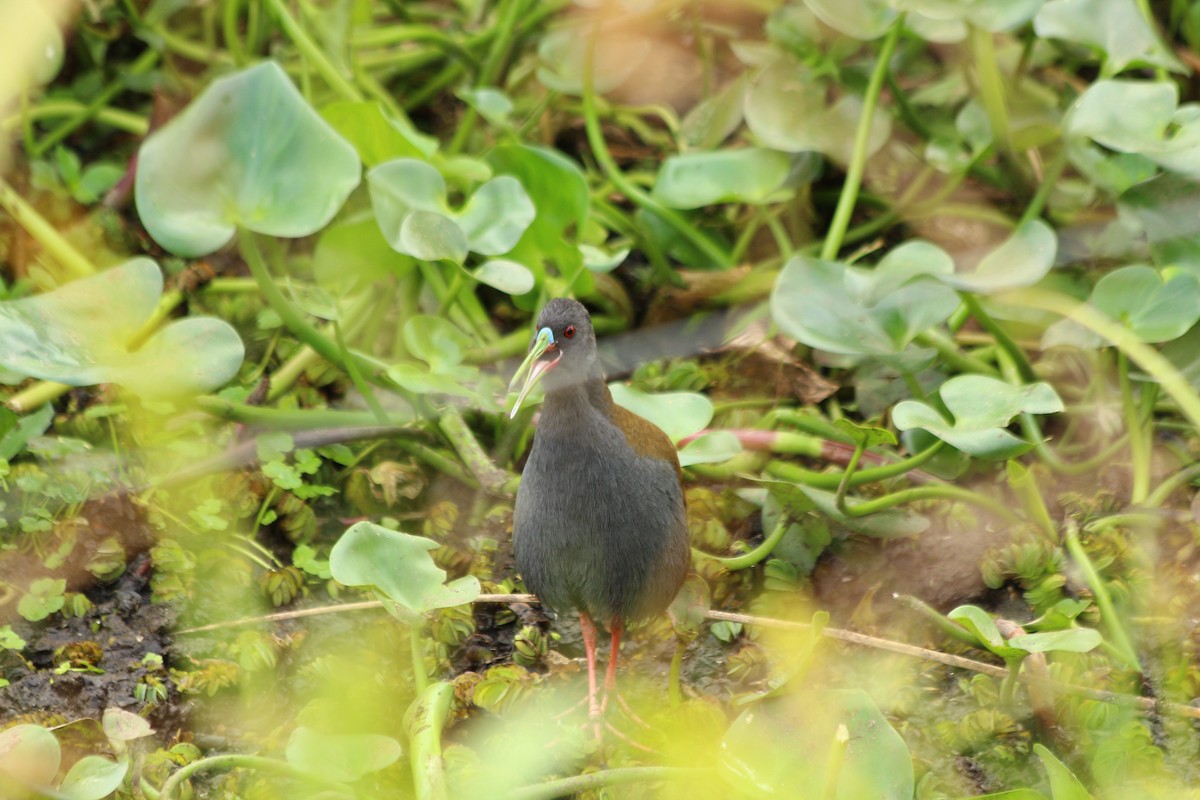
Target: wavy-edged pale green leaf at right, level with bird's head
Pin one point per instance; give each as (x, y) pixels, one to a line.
(981, 408)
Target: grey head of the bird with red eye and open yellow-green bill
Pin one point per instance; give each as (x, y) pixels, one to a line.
(563, 351)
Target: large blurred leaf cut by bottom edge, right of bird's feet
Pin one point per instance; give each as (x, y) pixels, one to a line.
(877, 763)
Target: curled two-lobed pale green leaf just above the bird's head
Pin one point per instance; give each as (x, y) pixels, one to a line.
(411, 208)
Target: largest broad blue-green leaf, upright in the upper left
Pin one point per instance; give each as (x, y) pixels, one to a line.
(230, 160)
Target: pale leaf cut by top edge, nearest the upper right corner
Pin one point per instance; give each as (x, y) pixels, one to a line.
(1117, 28)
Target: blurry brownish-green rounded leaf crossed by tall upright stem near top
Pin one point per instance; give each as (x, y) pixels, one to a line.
(787, 110)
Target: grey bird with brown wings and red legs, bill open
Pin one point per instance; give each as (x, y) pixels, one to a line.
(599, 522)
